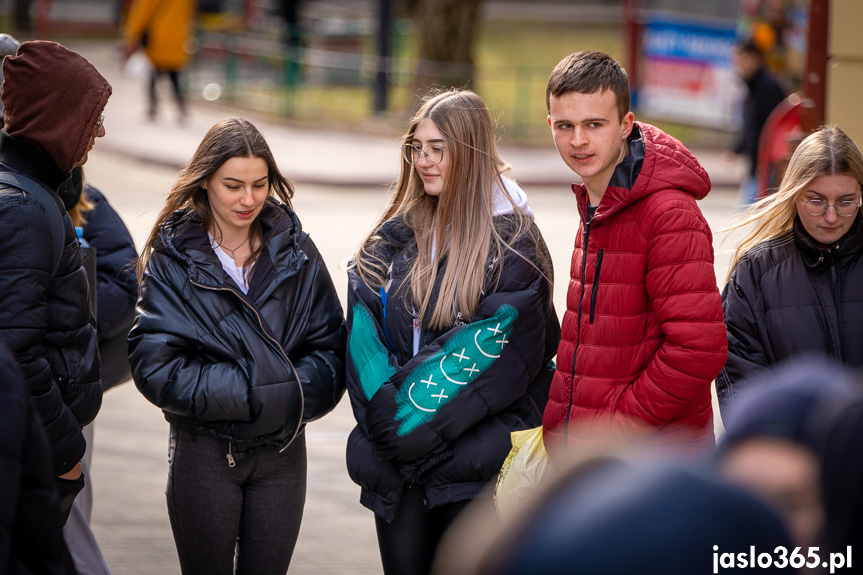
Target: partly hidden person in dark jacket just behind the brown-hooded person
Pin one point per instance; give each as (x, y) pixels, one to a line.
(116, 292)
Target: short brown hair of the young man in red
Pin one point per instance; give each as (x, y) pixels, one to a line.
(589, 72)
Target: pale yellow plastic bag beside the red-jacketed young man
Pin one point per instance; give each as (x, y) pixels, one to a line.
(522, 471)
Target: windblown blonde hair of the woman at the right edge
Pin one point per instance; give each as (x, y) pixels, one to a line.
(826, 152)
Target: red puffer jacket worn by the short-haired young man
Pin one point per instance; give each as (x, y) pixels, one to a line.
(643, 333)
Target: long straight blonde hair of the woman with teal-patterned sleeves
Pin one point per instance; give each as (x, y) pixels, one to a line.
(457, 225)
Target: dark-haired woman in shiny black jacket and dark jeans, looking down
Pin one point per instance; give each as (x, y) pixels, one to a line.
(240, 339)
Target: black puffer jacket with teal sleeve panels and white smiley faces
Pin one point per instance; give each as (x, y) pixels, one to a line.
(443, 417)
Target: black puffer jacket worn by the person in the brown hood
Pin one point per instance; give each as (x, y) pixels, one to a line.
(47, 322)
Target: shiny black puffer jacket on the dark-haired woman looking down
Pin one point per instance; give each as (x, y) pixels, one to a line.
(250, 369)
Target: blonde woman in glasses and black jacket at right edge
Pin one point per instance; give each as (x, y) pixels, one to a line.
(795, 277)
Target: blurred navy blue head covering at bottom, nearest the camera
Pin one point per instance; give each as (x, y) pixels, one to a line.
(608, 517)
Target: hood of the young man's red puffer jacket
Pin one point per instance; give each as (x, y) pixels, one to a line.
(655, 162)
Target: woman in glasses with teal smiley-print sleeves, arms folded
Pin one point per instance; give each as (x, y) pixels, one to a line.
(451, 331)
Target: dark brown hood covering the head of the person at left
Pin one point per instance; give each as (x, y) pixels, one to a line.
(37, 83)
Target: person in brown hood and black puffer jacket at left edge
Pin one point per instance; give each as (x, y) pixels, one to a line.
(45, 317)
